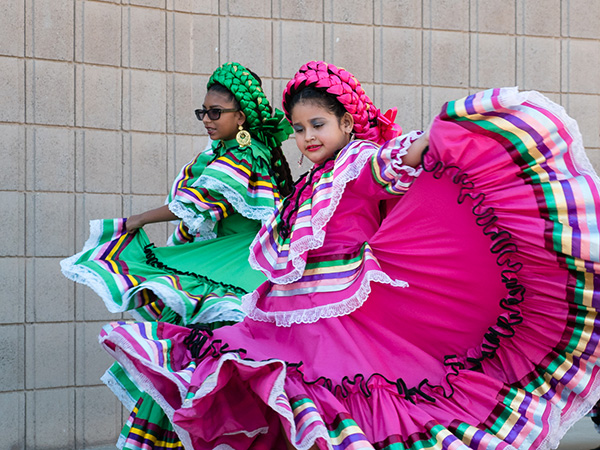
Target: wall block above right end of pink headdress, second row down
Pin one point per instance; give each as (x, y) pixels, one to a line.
(398, 56)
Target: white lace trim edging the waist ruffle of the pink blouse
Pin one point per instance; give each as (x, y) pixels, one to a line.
(311, 315)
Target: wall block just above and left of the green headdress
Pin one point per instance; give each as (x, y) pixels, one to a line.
(192, 43)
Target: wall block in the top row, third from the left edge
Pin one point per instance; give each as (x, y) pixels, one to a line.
(98, 33)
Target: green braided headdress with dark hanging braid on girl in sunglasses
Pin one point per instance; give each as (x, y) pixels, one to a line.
(244, 88)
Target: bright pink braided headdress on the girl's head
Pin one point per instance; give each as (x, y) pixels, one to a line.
(369, 123)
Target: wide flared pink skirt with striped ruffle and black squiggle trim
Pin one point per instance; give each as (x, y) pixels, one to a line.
(493, 345)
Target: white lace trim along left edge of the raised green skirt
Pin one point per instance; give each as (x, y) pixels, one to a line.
(86, 276)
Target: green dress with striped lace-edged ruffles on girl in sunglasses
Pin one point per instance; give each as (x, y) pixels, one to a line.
(222, 197)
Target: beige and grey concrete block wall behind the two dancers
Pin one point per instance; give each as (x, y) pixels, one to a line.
(97, 117)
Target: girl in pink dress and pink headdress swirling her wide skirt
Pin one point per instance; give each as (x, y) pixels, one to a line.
(428, 290)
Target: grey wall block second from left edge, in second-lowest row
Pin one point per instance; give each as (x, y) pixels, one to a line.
(49, 342)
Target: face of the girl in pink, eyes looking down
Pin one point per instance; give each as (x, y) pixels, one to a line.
(318, 132)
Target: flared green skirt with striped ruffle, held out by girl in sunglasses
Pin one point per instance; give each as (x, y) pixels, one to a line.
(124, 270)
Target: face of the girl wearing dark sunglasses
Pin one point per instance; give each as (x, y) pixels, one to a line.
(226, 126)
